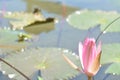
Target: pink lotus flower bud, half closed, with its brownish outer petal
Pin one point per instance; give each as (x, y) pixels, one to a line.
(90, 56)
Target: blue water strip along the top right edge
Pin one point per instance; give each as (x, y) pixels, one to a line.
(93, 4)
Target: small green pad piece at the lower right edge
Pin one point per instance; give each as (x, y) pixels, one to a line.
(114, 68)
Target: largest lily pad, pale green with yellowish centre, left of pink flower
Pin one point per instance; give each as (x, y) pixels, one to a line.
(49, 60)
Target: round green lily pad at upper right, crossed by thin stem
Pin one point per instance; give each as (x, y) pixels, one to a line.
(86, 19)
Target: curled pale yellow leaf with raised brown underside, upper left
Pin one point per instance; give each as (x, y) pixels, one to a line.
(30, 22)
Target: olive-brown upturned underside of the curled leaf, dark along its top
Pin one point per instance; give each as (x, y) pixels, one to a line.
(39, 27)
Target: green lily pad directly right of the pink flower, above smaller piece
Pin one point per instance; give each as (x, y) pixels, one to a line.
(110, 53)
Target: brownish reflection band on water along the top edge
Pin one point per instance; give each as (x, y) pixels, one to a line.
(49, 6)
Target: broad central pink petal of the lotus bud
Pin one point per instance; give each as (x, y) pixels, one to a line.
(89, 51)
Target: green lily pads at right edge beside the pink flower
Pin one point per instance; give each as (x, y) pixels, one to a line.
(111, 54)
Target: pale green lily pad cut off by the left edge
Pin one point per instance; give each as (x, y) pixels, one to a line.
(9, 40)
